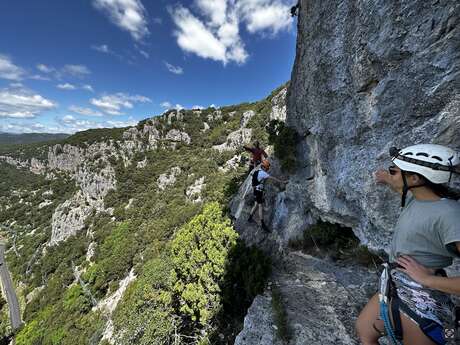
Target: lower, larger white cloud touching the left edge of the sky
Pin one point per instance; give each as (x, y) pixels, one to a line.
(22, 103)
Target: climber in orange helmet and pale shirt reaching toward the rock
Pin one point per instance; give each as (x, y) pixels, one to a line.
(259, 177)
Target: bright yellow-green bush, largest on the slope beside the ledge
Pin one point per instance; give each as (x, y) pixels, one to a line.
(199, 252)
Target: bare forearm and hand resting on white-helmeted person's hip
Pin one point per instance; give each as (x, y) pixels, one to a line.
(425, 276)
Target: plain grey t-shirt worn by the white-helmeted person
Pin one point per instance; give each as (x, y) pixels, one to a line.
(426, 231)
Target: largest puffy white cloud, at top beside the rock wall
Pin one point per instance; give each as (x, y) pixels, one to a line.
(214, 31)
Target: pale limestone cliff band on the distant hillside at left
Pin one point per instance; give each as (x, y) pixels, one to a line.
(89, 166)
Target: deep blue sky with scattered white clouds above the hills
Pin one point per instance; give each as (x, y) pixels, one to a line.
(67, 66)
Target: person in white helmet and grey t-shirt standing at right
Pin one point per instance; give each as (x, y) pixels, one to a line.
(414, 305)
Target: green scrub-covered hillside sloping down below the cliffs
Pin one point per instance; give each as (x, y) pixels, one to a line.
(194, 278)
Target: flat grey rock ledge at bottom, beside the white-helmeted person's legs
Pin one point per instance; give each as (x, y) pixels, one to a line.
(320, 300)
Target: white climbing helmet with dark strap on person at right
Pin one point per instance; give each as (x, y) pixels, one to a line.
(434, 162)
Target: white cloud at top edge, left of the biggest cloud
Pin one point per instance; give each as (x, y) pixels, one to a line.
(129, 15)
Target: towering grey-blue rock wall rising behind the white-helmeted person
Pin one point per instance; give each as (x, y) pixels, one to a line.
(367, 76)
